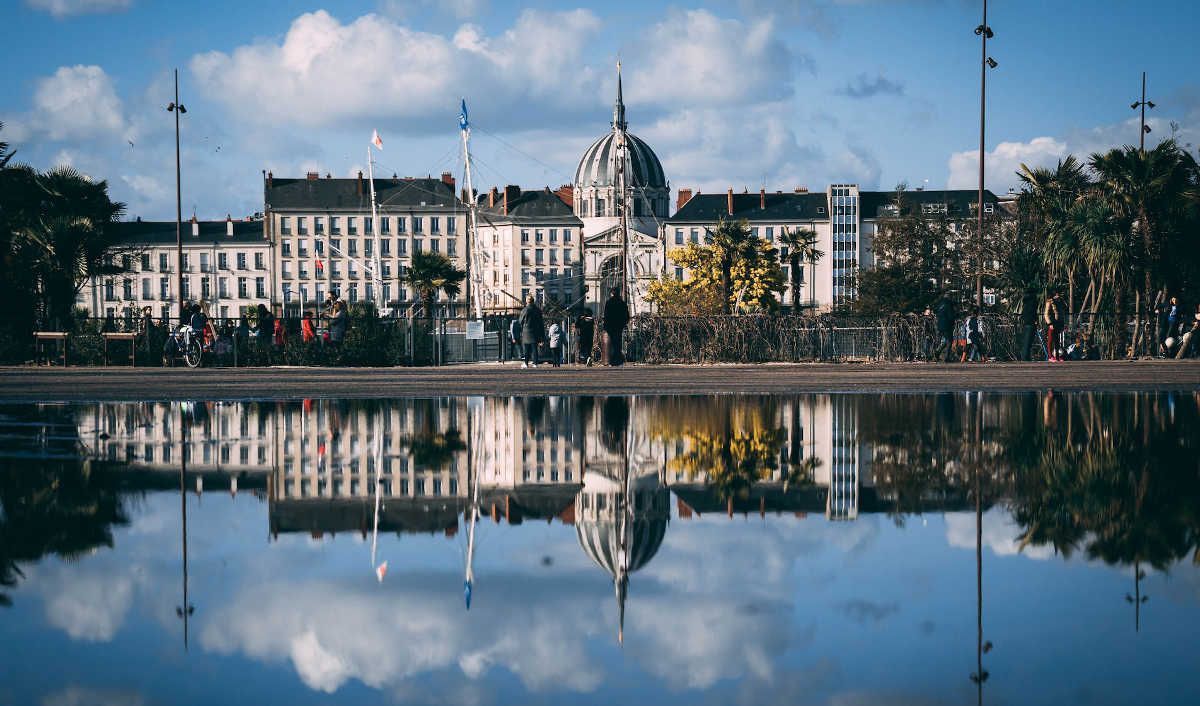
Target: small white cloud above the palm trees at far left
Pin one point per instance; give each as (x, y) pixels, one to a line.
(77, 103)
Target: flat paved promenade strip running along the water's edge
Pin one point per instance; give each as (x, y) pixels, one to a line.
(491, 379)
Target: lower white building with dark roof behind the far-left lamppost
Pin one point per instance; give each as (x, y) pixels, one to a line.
(227, 266)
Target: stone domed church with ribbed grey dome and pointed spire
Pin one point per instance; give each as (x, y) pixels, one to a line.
(620, 167)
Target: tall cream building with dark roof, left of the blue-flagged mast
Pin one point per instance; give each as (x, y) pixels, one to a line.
(323, 237)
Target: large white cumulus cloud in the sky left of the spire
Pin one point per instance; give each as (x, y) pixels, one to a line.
(325, 73)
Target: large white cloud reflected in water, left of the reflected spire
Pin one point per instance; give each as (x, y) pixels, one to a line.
(334, 632)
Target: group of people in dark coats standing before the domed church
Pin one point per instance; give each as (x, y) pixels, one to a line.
(529, 332)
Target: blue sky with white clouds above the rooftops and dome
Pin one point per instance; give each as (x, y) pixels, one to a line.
(743, 94)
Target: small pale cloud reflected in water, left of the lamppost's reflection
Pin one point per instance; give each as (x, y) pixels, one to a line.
(87, 606)
